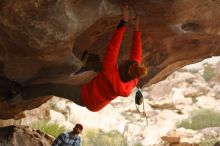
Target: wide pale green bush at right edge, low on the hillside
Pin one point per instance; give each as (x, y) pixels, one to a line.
(201, 119)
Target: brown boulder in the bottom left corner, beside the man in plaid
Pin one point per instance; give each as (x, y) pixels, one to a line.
(23, 136)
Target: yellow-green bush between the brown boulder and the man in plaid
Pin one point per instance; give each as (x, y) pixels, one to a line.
(52, 129)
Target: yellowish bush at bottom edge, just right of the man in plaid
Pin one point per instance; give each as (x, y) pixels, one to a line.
(95, 137)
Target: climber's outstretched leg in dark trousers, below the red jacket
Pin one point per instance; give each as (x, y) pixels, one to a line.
(71, 92)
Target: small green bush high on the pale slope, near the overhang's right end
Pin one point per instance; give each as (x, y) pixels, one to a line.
(208, 72)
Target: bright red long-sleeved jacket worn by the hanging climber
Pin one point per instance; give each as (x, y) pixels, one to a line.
(107, 85)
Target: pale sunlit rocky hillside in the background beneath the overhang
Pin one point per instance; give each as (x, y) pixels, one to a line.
(163, 112)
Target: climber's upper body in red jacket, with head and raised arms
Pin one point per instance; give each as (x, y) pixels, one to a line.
(113, 81)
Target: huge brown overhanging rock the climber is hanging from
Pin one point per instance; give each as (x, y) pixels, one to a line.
(41, 41)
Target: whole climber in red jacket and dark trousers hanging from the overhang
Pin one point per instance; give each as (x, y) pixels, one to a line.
(111, 81)
